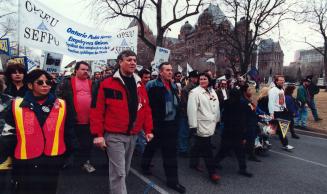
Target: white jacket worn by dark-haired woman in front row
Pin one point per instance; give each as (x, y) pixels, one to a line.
(203, 111)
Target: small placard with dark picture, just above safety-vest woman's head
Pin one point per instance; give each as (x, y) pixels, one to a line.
(52, 62)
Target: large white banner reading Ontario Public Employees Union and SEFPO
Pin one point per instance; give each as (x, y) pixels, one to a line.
(42, 28)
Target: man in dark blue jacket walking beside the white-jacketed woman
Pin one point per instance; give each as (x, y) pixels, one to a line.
(164, 104)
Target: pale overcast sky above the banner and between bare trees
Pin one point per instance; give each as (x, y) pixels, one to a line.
(291, 39)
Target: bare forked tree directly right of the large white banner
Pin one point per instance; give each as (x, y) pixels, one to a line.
(136, 9)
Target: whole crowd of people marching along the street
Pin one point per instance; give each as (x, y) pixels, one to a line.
(50, 122)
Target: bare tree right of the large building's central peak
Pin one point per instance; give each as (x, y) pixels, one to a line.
(252, 20)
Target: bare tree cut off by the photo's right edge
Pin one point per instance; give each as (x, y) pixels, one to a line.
(316, 15)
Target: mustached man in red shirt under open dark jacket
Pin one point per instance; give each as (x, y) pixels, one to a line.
(77, 92)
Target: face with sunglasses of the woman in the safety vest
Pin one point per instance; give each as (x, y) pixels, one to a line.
(41, 86)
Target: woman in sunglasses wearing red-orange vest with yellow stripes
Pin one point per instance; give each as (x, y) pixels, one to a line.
(43, 133)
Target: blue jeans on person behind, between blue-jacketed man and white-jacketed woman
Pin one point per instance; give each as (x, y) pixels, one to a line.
(183, 135)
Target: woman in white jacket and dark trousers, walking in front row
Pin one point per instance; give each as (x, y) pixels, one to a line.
(203, 114)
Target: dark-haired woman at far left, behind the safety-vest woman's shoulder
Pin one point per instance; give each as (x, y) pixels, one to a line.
(15, 74)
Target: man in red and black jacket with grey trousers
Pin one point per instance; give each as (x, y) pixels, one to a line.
(121, 110)
